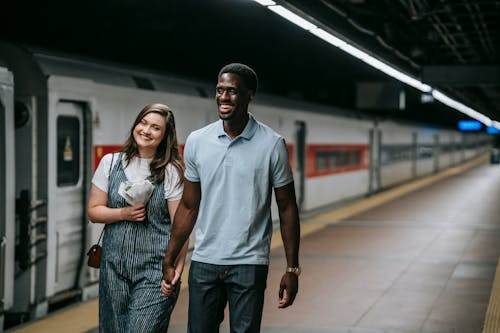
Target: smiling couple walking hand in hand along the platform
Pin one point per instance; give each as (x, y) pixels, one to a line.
(150, 201)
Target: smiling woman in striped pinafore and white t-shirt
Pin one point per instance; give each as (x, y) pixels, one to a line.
(136, 236)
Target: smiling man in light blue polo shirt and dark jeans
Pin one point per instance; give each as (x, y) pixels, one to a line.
(231, 166)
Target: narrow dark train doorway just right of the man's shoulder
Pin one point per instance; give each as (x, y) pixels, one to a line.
(300, 161)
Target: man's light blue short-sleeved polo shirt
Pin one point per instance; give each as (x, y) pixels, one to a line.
(236, 177)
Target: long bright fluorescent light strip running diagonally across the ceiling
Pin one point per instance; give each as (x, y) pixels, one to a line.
(374, 62)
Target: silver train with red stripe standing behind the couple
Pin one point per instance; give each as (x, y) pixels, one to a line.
(60, 114)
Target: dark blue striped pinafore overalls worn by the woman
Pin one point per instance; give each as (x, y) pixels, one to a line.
(130, 299)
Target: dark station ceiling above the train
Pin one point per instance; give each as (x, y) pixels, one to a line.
(451, 44)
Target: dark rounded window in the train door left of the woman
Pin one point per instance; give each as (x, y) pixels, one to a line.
(68, 150)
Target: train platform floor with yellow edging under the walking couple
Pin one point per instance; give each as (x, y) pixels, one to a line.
(421, 257)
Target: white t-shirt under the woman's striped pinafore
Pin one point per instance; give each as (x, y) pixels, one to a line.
(138, 169)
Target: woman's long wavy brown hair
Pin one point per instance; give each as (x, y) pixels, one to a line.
(166, 152)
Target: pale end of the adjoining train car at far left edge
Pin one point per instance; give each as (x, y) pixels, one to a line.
(7, 195)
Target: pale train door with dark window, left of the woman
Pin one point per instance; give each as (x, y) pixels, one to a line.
(66, 198)
